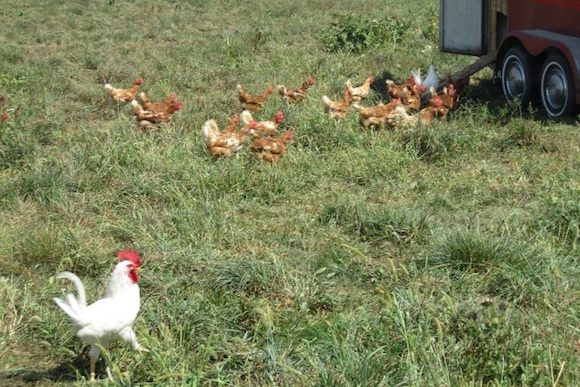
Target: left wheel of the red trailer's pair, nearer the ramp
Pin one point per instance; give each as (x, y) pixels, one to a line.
(516, 75)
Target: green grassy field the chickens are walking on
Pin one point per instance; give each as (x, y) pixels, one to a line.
(437, 255)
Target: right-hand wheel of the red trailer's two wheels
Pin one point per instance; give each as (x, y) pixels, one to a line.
(557, 87)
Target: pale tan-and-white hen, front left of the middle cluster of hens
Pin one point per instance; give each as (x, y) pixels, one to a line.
(228, 142)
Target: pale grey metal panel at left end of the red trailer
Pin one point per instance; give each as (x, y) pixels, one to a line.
(461, 27)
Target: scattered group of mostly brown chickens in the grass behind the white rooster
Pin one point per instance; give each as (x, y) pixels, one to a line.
(416, 101)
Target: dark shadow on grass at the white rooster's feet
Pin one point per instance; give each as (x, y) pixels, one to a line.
(65, 372)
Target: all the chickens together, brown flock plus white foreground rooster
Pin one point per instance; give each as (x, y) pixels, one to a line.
(111, 318)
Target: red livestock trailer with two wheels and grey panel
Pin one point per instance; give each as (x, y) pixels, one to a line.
(532, 45)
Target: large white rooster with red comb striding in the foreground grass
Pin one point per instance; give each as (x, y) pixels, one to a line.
(110, 318)
